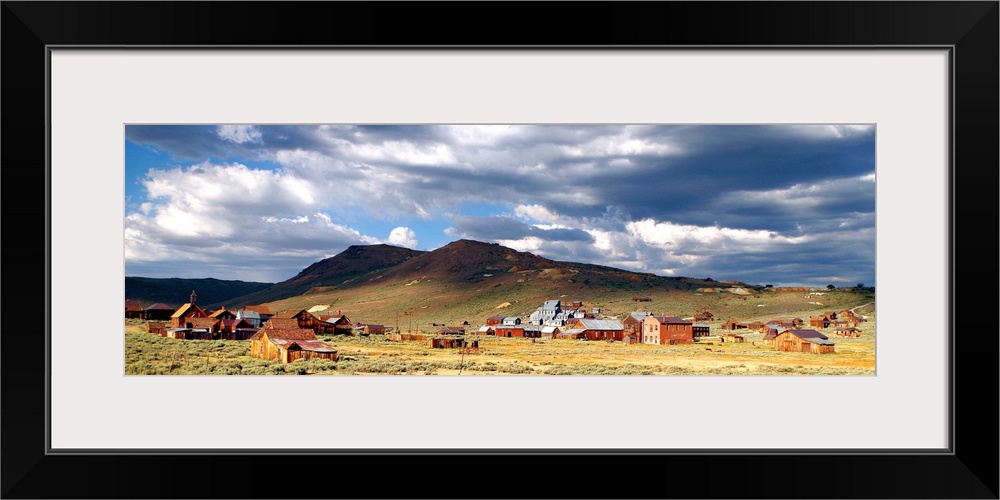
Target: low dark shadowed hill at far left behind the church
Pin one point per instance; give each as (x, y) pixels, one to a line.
(176, 291)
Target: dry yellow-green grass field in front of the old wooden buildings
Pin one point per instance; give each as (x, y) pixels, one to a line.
(376, 355)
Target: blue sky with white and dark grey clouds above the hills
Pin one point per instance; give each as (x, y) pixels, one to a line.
(764, 204)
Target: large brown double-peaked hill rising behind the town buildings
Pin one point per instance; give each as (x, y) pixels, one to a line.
(469, 280)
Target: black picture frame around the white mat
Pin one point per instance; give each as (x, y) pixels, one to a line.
(969, 470)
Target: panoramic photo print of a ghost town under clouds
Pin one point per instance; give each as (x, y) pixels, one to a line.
(512, 250)
